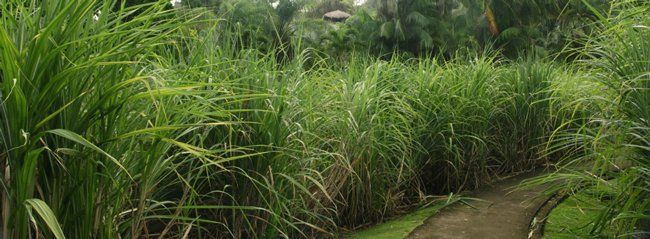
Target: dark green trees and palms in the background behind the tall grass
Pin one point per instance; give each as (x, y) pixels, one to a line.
(423, 27)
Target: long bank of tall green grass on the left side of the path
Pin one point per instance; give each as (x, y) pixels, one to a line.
(151, 122)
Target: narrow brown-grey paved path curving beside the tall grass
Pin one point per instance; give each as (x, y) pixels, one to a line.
(503, 214)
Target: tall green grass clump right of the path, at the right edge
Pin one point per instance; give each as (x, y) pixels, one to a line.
(609, 149)
